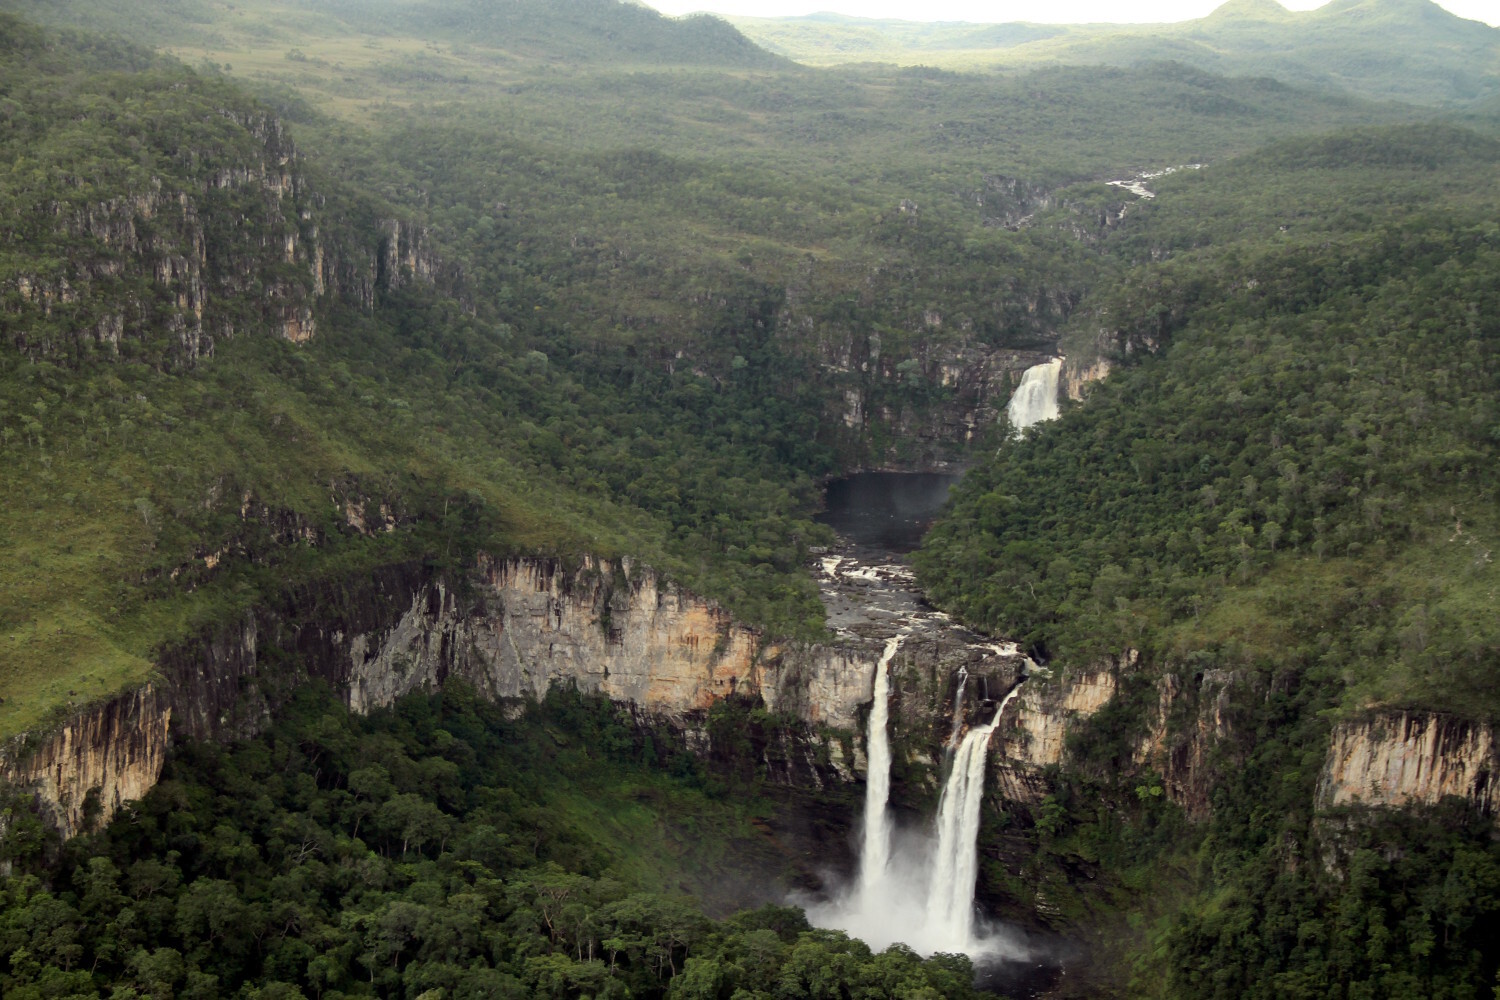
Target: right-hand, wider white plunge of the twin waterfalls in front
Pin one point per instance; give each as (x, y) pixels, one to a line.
(956, 864)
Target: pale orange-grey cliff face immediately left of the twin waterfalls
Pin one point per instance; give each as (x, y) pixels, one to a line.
(631, 638)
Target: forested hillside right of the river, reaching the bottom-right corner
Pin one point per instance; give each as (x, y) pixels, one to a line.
(1283, 497)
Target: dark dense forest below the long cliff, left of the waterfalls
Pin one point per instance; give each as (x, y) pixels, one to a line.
(437, 848)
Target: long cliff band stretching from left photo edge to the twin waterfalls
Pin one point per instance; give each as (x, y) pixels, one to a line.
(511, 627)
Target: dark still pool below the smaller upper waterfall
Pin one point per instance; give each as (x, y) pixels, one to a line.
(889, 512)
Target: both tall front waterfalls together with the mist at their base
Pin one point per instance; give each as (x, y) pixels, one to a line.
(919, 891)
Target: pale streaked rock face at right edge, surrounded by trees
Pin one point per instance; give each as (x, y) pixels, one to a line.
(1412, 759)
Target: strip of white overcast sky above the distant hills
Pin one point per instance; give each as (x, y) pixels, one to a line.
(1039, 11)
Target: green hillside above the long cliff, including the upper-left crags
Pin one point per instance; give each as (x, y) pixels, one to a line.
(533, 313)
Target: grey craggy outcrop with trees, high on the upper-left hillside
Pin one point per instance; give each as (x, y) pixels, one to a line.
(220, 251)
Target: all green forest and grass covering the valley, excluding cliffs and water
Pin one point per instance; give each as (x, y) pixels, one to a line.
(295, 295)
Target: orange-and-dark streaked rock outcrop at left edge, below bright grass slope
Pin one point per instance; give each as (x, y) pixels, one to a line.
(97, 762)
